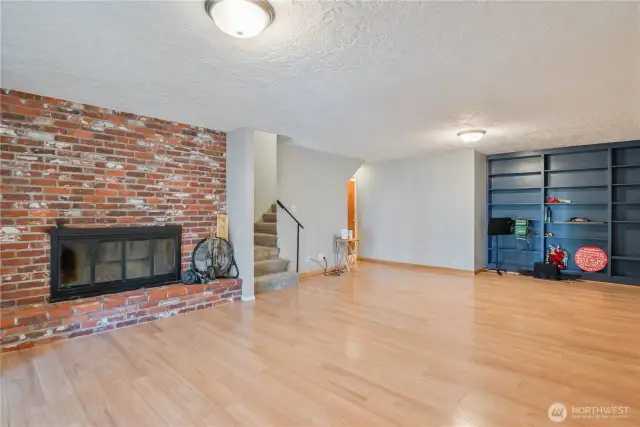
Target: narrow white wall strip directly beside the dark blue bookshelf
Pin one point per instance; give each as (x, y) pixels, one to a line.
(480, 202)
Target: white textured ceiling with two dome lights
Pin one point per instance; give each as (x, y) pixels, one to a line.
(364, 79)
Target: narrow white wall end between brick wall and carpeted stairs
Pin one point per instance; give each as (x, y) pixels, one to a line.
(240, 194)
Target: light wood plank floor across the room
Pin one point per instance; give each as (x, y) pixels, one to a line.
(383, 346)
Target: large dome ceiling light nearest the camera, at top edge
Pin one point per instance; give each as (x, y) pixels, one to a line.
(240, 18)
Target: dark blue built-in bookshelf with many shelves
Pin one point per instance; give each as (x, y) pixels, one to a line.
(603, 184)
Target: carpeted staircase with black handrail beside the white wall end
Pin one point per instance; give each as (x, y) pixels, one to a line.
(270, 271)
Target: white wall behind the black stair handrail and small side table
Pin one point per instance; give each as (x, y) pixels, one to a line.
(316, 184)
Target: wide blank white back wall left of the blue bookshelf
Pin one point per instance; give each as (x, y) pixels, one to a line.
(419, 210)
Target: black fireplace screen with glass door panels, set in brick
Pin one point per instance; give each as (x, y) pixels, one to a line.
(89, 262)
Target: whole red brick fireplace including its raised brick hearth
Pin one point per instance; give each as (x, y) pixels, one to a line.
(76, 166)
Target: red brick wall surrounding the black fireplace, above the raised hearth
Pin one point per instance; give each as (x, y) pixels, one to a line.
(87, 166)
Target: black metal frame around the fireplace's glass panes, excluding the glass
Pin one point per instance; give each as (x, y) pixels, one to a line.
(112, 234)
